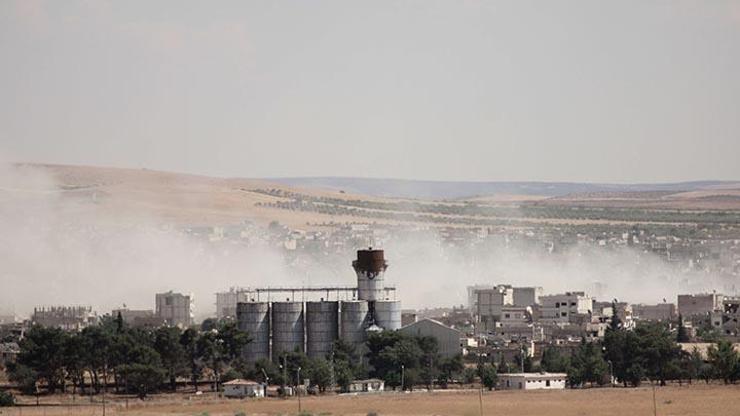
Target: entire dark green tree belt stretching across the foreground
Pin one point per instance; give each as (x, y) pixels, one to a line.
(112, 355)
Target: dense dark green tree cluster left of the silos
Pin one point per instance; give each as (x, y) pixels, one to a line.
(135, 360)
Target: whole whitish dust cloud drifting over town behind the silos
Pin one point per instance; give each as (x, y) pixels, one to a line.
(59, 246)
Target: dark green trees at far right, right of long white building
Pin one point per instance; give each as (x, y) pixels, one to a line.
(650, 352)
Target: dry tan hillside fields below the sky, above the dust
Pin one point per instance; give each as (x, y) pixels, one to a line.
(139, 196)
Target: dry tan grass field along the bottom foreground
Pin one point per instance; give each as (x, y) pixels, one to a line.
(687, 400)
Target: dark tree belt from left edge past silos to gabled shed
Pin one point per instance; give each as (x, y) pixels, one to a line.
(115, 357)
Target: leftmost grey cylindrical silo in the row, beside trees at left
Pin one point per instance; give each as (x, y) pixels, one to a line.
(254, 317)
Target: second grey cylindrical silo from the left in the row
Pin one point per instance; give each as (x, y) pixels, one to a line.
(287, 327)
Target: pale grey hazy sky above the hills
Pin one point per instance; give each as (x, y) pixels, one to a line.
(458, 90)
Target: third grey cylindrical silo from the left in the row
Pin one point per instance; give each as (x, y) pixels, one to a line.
(322, 327)
